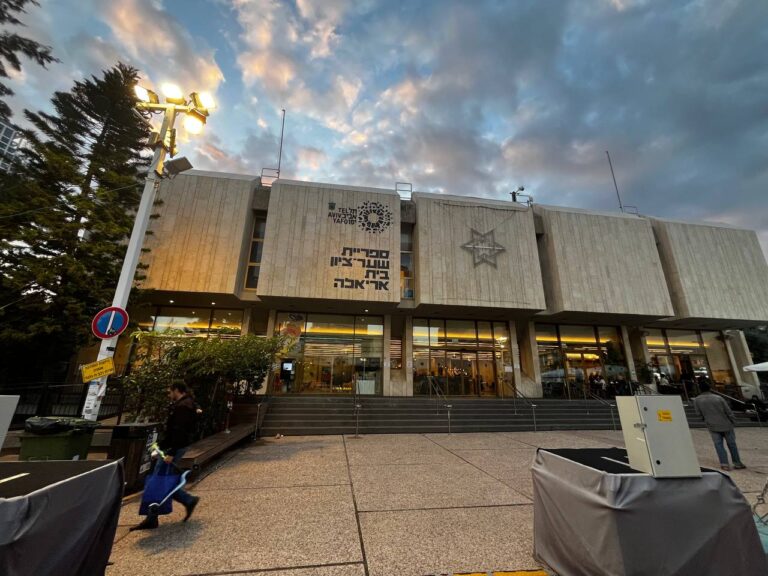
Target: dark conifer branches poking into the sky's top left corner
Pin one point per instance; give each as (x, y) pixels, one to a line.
(12, 45)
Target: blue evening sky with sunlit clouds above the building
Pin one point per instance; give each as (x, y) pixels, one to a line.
(472, 97)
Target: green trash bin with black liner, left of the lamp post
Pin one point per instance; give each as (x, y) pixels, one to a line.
(51, 438)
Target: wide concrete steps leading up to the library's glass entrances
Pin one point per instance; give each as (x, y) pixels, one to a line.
(308, 415)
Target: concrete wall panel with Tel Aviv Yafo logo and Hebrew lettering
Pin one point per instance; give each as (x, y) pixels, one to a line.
(331, 242)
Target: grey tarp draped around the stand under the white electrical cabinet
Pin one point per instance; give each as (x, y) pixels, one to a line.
(592, 523)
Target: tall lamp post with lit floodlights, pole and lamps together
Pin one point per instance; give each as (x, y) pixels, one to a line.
(196, 108)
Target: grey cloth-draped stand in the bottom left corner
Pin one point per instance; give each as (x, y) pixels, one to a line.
(64, 528)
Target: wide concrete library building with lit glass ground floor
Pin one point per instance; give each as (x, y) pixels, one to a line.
(470, 296)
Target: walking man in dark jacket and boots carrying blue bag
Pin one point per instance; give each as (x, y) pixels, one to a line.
(180, 428)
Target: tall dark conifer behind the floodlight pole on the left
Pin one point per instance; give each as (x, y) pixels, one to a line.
(74, 200)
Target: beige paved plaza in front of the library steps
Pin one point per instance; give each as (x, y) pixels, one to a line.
(380, 505)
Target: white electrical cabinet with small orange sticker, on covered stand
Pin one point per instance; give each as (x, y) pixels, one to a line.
(657, 436)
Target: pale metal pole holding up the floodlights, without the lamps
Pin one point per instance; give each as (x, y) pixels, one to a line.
(132, 255)
